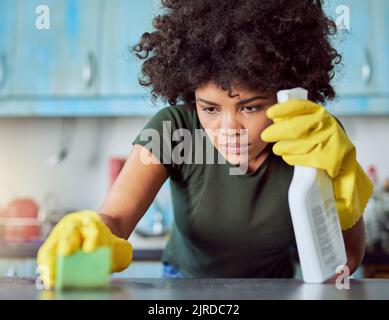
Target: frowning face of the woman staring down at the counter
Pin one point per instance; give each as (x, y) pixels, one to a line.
(236, 123)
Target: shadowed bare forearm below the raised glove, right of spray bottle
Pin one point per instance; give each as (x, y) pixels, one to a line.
(354, 241)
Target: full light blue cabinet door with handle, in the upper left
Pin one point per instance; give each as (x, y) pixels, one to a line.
(61, 60)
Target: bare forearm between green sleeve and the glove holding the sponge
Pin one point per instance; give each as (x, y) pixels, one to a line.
(132, 192)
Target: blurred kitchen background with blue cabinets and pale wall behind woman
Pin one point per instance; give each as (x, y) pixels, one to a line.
(70, 105)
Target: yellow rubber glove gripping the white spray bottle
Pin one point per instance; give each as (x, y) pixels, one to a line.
(306, 134)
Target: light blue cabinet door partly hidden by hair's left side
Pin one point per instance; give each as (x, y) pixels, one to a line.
(124, 23)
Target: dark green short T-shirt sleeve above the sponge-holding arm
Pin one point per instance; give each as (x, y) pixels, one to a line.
(156, 136)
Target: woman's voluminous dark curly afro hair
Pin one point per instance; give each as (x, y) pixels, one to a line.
(256, 44)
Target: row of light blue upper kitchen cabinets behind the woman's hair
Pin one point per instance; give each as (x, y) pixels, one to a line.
(82, 65)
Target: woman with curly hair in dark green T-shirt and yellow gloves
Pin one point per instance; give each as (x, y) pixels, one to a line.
(219, 64)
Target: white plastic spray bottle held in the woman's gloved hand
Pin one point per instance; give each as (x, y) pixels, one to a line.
(314, 215)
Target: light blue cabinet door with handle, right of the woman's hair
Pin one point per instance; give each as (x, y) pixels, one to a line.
(355, 41)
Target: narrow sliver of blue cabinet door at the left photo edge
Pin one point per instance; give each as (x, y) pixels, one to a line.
(7, 27)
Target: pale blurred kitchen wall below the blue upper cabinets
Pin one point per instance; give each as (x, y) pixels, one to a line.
(82, 180)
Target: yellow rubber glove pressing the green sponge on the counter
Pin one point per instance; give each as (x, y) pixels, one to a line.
(81, 230)
